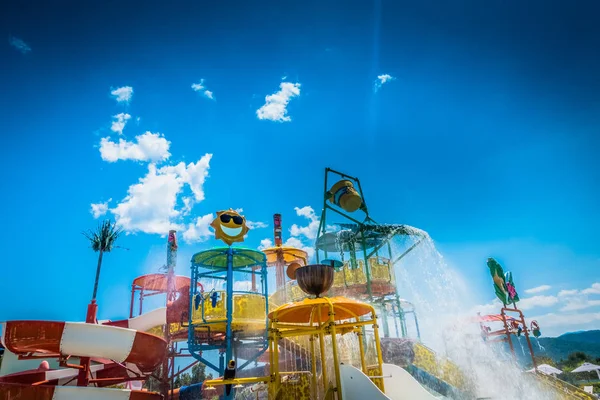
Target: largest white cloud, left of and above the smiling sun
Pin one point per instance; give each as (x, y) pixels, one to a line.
(151, 205)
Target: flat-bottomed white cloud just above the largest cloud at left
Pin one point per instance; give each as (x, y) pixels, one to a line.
(149, 146)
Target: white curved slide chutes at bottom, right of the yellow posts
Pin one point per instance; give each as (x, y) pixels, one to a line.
(399, 385)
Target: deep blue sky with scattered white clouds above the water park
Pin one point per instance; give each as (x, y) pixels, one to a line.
(485, 135)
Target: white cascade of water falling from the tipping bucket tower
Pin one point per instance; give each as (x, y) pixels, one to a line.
(443, 299)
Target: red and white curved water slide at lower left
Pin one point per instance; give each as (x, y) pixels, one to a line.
(120, 355)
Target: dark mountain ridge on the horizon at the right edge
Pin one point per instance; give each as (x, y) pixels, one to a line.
(560, 347)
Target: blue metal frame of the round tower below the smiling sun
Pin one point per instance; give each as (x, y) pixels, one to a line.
(225, 272)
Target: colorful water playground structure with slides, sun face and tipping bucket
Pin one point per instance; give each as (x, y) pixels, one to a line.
(270, 323)
